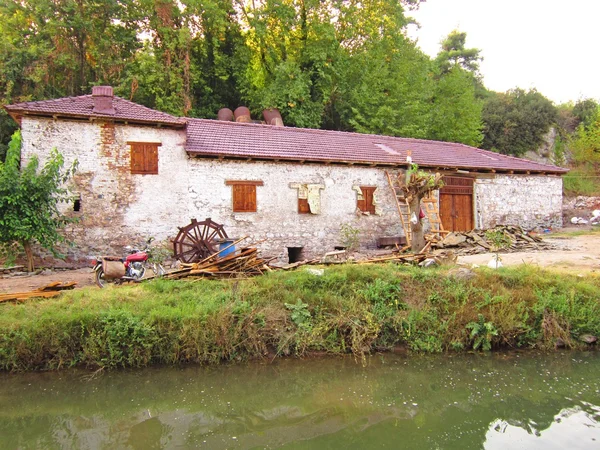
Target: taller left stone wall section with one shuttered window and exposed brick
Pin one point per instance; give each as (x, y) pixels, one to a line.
(117, 208)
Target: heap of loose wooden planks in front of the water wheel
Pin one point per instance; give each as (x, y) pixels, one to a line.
(244, 263)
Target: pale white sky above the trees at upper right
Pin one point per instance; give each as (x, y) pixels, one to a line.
(550, 45)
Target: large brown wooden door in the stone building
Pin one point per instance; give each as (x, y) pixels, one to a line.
(456, 204)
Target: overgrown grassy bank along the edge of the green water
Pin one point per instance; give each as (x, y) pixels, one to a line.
(351, 308)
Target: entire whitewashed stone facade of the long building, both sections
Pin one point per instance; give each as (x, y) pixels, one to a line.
(119, 208)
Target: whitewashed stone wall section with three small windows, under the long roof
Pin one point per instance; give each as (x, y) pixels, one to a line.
(277, 220)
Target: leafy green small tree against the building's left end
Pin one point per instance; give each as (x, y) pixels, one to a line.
(29, 199)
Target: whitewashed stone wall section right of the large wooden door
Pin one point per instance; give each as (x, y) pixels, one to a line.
(532, 201)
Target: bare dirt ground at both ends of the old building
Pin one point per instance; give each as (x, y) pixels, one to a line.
(575, 253)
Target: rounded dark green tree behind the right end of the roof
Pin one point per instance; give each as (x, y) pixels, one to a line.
(516, 121)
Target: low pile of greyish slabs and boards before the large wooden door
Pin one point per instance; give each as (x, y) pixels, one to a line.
(475, 241)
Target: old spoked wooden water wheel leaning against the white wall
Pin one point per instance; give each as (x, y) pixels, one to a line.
(198, 240)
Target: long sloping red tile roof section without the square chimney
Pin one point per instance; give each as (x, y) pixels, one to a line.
(243, 140)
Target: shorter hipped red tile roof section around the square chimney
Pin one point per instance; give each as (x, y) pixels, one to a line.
(82, 106)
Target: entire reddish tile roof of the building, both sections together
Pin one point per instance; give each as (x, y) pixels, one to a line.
(244, 140)
